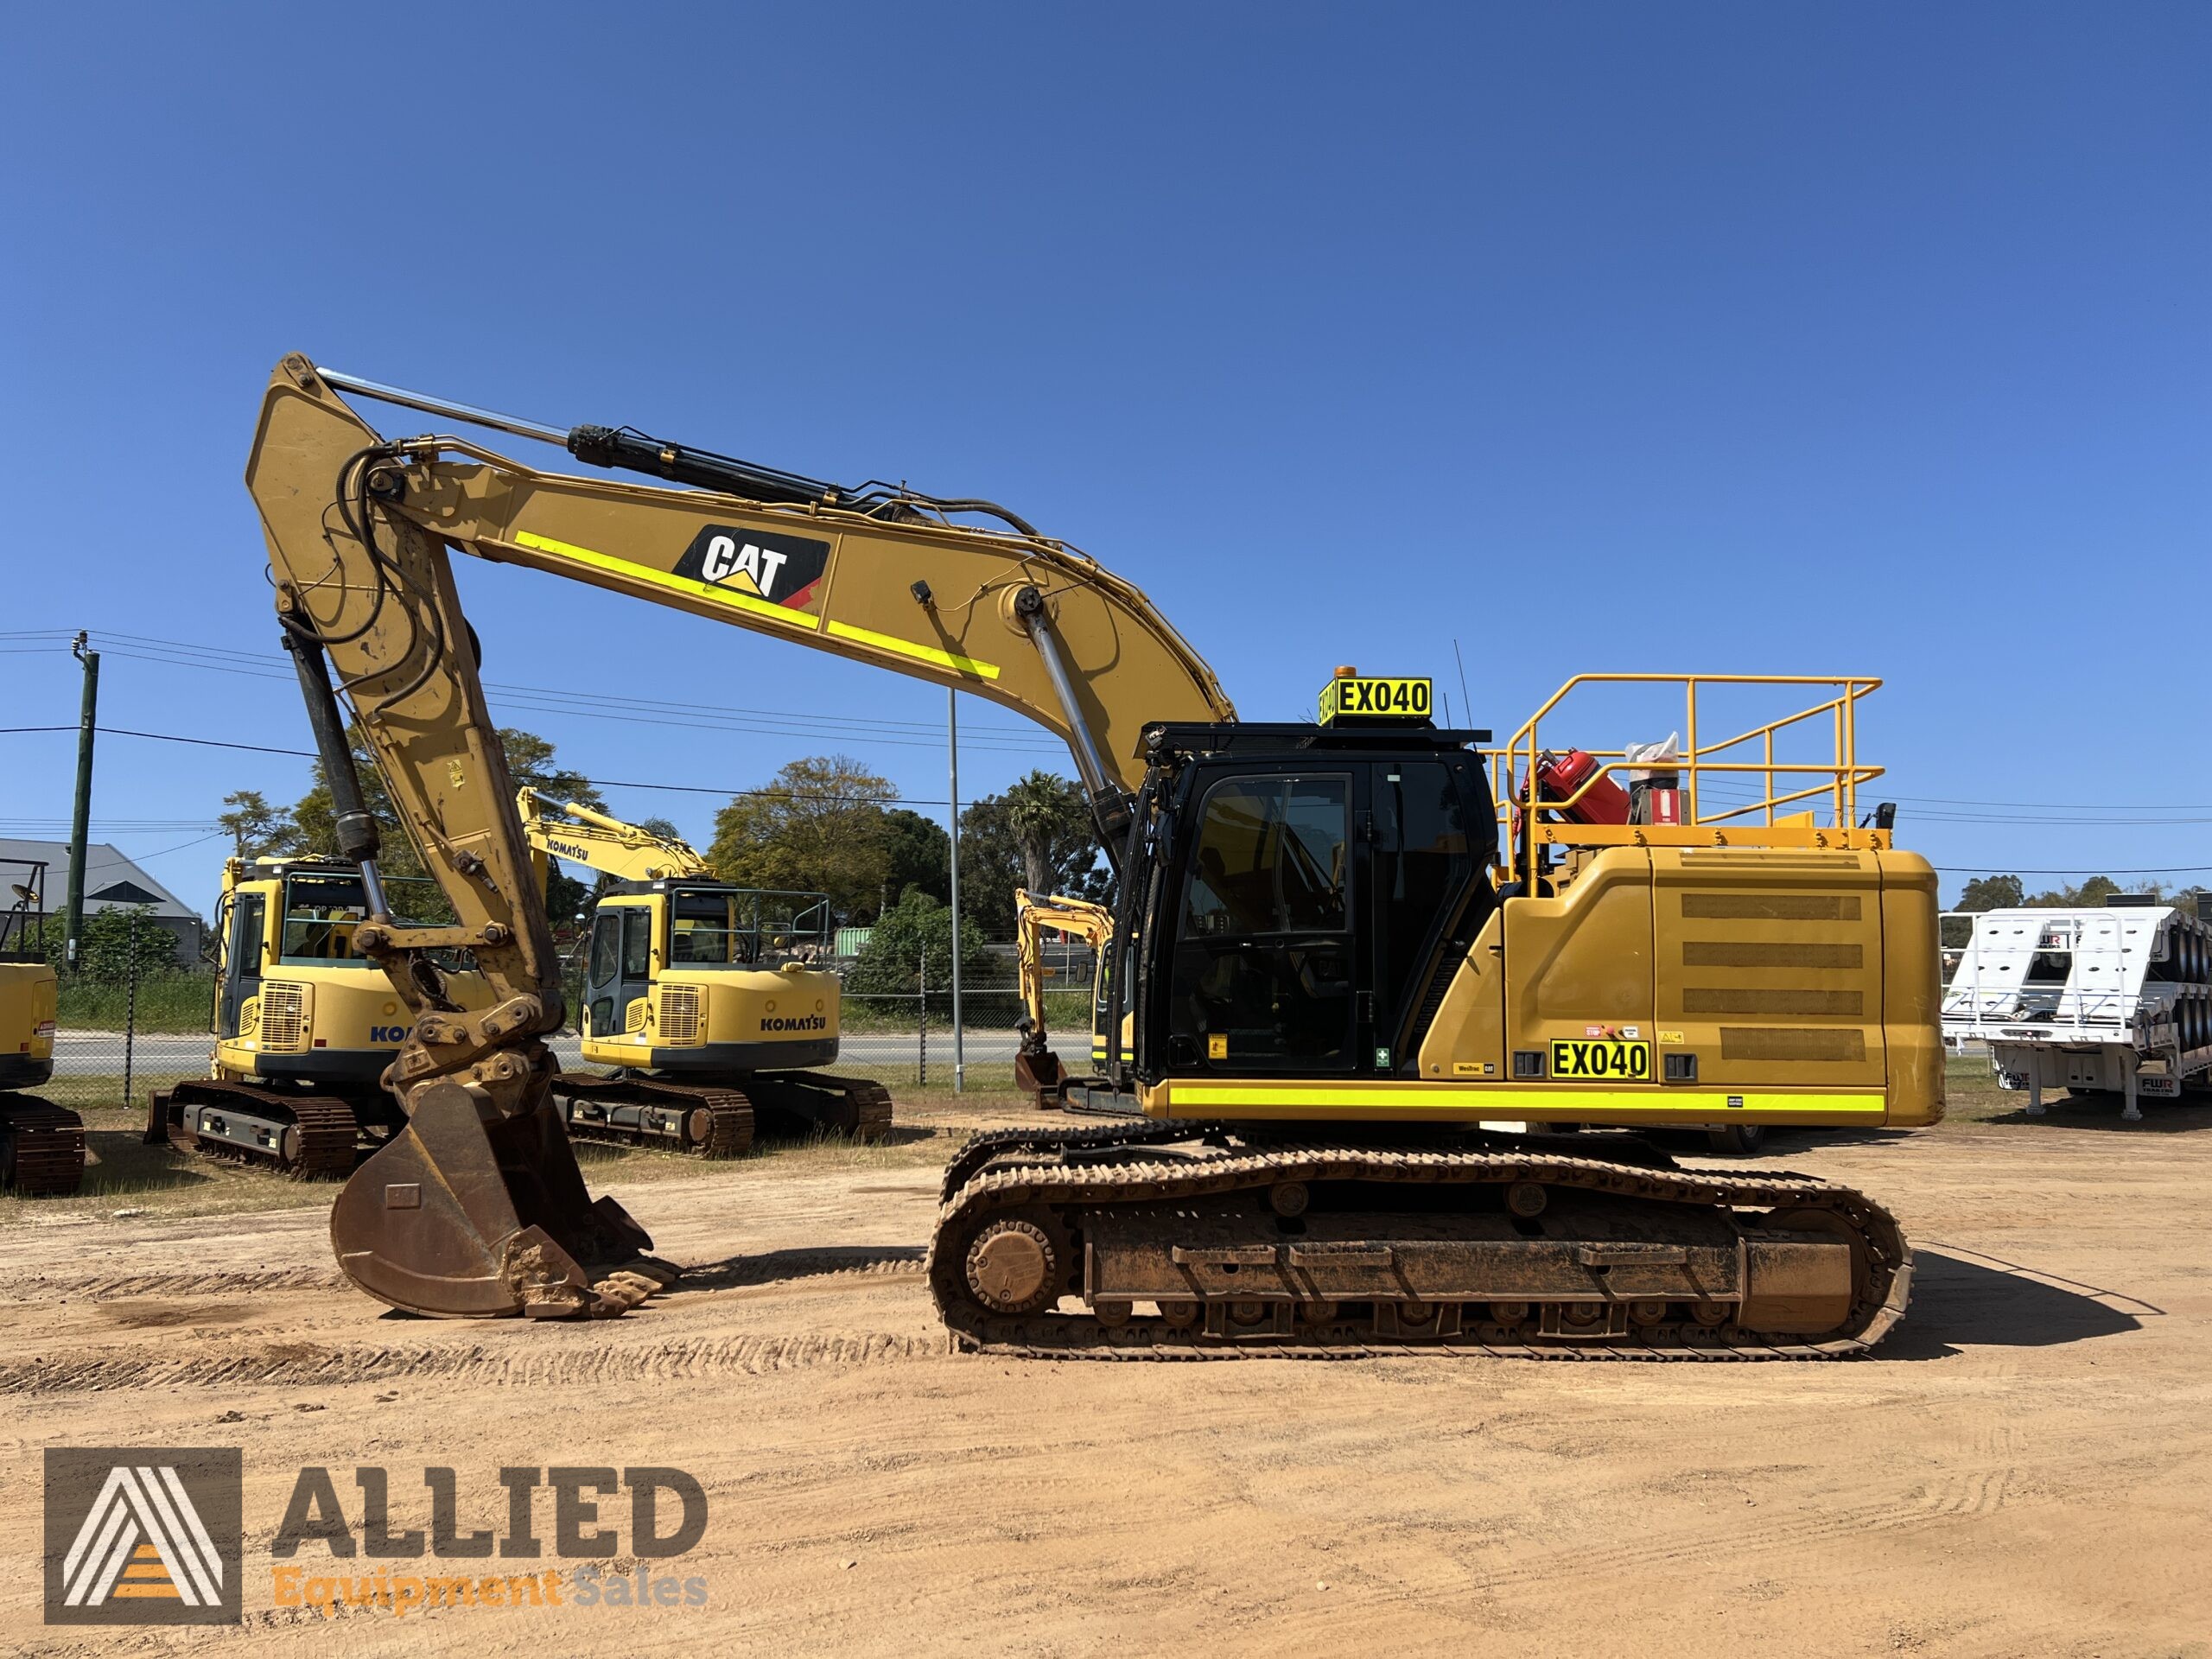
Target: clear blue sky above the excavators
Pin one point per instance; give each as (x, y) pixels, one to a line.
(1855, 340)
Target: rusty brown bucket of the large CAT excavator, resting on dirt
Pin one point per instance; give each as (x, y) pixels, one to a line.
(468, 1220)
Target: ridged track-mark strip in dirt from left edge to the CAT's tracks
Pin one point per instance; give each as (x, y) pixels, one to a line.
(309, 1364)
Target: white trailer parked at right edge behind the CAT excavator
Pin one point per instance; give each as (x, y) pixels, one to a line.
(2094, 1001)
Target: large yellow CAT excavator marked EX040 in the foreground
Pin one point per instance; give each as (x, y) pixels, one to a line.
(1339, 948)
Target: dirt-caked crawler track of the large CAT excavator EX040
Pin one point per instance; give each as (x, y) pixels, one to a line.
(1123, 1220)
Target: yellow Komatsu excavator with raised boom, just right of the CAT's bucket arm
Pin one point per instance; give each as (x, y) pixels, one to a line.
(707, 999)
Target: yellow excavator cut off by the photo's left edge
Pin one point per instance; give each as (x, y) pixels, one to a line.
(41, 1145)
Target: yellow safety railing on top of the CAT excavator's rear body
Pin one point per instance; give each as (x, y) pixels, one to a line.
(1837, 780)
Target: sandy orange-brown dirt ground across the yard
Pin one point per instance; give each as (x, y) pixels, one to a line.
(2023, 1470)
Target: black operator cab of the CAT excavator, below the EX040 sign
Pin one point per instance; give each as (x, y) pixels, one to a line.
(1311, 884)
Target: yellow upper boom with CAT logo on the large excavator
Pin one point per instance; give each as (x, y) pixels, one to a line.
(888, 578)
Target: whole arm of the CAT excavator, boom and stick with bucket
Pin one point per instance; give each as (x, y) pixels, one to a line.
(479, 1207)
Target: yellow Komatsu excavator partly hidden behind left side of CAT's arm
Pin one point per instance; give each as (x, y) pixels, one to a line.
(304, 1025)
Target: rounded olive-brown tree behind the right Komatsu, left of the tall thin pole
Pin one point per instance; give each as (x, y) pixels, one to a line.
(817, 826)
